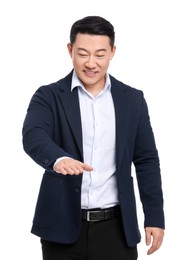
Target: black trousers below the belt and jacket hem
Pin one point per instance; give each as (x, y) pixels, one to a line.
(102, 240)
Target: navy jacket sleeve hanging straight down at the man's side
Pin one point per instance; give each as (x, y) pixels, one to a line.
(146, 161)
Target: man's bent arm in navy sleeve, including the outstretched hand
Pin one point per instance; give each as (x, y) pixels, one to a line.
(41, 135)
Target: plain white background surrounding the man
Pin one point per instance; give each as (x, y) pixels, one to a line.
(152, 39)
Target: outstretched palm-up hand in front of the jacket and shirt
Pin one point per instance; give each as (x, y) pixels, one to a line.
(71, 167)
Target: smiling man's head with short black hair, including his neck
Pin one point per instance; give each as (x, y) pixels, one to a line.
(91, 48)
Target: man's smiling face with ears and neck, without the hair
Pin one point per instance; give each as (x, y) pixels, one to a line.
(91, 56)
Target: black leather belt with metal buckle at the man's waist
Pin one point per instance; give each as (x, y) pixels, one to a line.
(100, 214)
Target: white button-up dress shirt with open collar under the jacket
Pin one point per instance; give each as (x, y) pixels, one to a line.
(99, 188)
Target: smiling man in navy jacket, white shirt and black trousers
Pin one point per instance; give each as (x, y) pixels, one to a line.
(86, 130)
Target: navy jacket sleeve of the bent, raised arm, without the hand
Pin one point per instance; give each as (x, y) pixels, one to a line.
(38, 130)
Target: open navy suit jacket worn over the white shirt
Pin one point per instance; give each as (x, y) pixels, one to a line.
(52, 129)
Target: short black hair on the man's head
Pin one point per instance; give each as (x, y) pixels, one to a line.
(94, 25)
